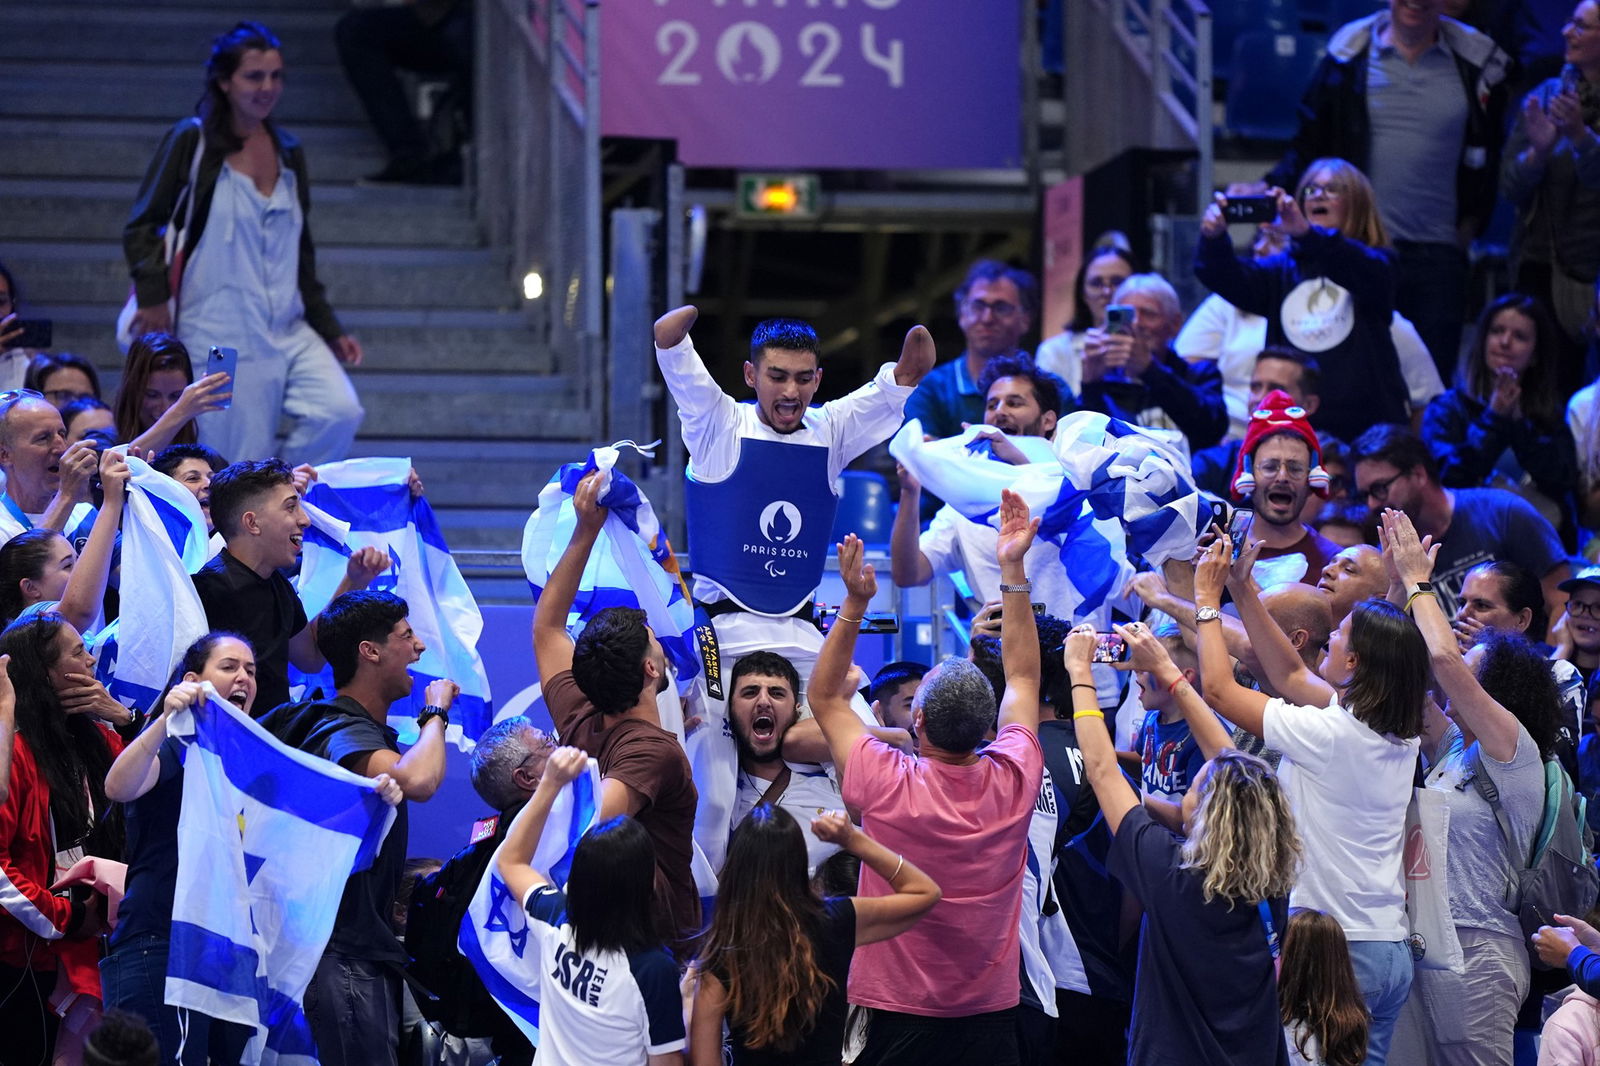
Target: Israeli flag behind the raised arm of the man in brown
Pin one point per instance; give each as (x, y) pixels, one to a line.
(631, 566)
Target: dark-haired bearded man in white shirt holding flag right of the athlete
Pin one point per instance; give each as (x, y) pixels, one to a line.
(1020, 401)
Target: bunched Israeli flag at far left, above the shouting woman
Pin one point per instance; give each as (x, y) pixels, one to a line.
(164, 540)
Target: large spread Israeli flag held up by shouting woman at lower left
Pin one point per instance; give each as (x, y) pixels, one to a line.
(266, 840)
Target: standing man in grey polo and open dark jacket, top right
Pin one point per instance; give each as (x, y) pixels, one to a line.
(1410, 97)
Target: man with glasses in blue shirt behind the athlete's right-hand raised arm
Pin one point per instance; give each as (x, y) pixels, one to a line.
(996, 307)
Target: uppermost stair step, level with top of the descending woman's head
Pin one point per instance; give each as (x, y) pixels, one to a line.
(156, 34)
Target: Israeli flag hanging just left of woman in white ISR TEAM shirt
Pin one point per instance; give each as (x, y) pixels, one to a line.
(495, 929)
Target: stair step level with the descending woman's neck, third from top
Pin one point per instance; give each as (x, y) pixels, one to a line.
(100, 148)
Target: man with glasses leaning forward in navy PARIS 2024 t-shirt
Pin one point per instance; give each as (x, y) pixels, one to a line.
(1394, 468)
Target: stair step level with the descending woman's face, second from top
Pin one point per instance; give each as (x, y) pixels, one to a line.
(134, 90)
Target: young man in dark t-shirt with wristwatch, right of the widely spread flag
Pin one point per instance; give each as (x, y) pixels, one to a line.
(354, 1000)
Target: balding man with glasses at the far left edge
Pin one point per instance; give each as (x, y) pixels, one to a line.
(47, 483)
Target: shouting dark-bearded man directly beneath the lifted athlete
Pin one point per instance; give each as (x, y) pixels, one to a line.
(764, 707)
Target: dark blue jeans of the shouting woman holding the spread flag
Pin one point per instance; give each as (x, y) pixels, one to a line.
(134, 979)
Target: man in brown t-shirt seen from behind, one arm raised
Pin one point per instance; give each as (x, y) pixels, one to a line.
(602, 699)
